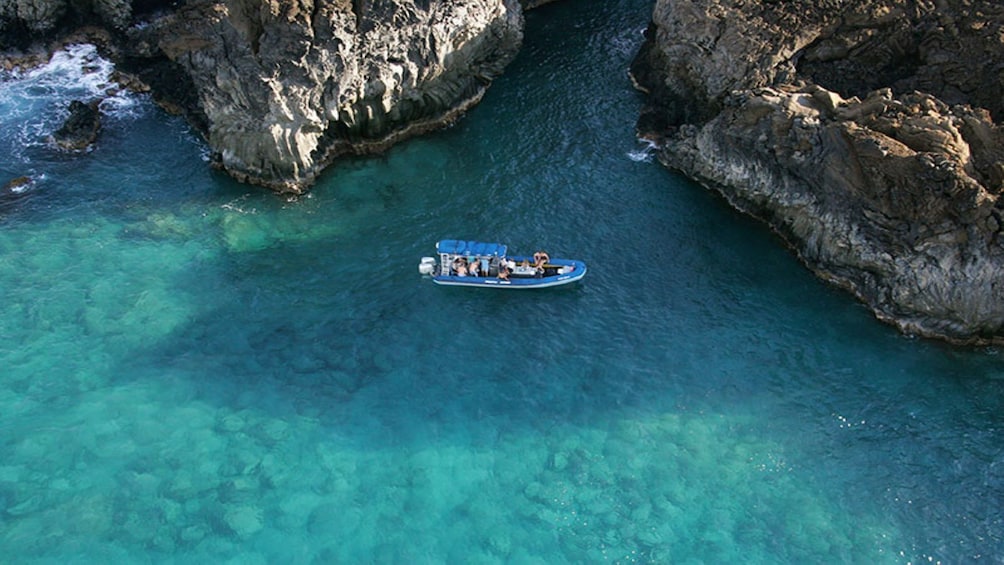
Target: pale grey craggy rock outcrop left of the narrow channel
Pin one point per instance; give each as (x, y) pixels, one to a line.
(282, 89)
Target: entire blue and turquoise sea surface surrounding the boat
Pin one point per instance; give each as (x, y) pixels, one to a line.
(193, 371)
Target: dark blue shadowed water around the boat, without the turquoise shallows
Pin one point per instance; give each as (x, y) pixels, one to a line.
(689, 309)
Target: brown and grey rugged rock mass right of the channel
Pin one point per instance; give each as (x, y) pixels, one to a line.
(862, 132)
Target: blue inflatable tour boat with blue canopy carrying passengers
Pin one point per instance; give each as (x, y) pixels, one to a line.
(473, 263)
